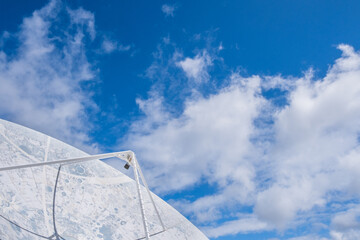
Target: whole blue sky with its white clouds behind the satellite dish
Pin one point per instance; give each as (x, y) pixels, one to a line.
(244, 114)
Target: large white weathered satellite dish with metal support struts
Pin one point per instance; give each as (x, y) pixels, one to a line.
(51, 190)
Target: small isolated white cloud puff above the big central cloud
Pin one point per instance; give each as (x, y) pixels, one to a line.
(196, 68)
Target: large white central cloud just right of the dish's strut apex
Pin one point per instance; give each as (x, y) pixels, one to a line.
(195, 141)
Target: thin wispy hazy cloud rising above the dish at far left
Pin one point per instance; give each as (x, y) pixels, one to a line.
(44, 81)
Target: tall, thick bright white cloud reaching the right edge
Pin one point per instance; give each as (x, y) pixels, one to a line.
(315, 134)
